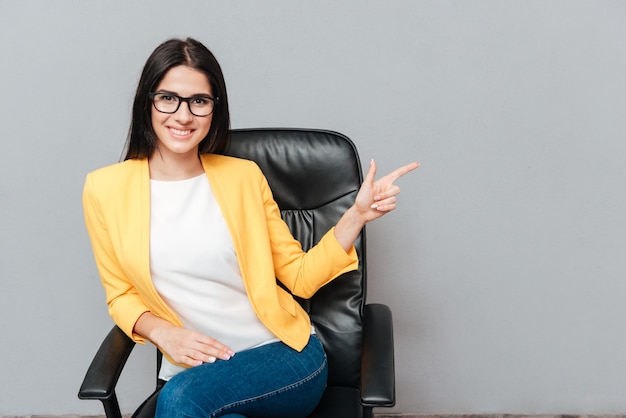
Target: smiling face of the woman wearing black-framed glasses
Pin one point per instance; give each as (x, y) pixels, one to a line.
(180, 133)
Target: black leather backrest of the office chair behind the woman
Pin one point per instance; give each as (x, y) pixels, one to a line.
(315, 176)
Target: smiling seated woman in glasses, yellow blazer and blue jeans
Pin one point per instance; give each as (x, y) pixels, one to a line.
(179, 269)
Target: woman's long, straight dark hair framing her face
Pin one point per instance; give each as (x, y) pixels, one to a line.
(142, 140)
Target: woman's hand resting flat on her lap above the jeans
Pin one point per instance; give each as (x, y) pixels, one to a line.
(182, 345)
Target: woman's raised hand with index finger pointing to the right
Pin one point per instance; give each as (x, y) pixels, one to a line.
(378, 197)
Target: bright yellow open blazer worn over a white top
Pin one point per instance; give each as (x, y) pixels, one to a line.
(116, 201)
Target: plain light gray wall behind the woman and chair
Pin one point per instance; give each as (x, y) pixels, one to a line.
(504, 265)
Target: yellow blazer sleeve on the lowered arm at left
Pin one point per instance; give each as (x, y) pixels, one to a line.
(124, 303)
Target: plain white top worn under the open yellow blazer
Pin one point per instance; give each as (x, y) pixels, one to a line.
(194, 266)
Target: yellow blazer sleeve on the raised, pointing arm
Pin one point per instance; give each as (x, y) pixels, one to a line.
(303, 273)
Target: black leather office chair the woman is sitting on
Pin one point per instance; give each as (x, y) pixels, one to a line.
(314, 176)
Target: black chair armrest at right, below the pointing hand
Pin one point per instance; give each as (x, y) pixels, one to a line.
(378, 382)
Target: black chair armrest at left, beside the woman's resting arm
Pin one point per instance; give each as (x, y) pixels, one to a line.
(105, 369)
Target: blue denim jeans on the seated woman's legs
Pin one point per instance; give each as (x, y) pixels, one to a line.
(268, 381)
